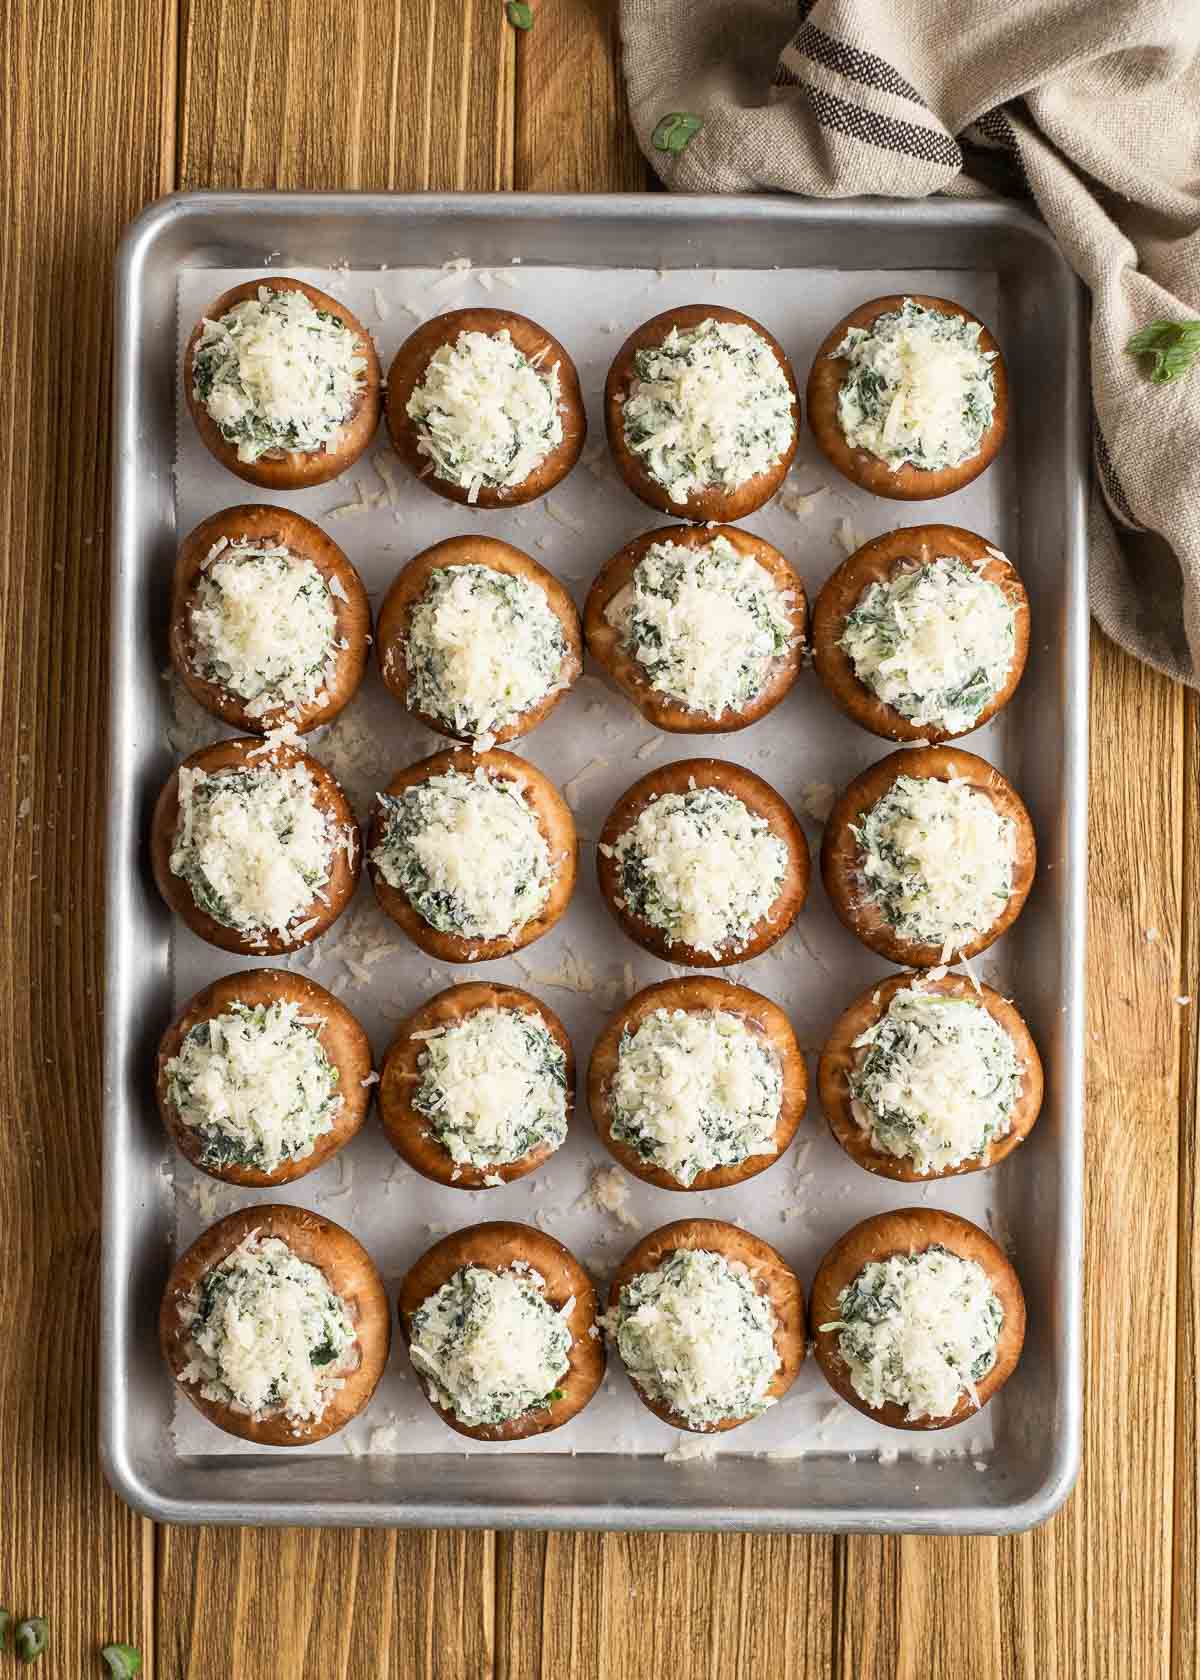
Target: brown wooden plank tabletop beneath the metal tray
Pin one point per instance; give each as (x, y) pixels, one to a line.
(103, 107)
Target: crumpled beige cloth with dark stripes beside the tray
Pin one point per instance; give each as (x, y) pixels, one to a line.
(1093, 107)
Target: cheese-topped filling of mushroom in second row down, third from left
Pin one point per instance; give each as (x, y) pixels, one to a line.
(707, 624)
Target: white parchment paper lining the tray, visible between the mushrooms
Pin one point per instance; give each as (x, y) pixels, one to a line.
(592, 747)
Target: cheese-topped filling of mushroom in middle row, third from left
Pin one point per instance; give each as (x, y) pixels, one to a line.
(702, 868)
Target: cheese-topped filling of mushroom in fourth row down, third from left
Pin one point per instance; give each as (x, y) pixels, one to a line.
(697, 1089)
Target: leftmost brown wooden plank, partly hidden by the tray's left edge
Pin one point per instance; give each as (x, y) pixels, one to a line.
(80, 154)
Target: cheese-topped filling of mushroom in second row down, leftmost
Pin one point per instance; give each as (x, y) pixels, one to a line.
(263, 626)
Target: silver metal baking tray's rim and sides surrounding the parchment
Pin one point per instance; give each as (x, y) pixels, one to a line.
(1038, 1431)
